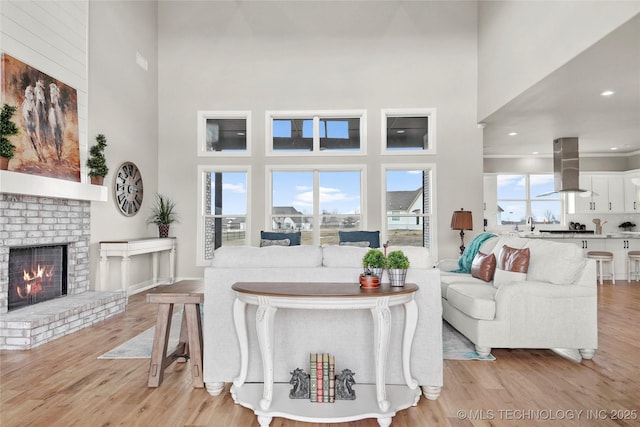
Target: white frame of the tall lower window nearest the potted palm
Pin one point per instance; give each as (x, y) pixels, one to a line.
(200, 213)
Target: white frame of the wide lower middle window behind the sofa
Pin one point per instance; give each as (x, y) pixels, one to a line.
(315, 169)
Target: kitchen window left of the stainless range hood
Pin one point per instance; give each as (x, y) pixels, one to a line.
(522, 197)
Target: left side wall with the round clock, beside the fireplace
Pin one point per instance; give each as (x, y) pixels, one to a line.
(123, 105)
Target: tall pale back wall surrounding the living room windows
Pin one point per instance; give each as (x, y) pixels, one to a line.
(319, 55)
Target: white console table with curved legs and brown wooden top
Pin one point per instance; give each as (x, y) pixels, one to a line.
(373, 400)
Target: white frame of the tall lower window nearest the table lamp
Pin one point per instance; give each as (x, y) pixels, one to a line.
(433, 217)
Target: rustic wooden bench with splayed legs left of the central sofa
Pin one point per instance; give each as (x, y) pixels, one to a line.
(189, 293)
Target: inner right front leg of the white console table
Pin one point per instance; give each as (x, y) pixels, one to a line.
(382, 326)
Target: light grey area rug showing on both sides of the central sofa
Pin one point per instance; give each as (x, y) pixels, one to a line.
(455, 346)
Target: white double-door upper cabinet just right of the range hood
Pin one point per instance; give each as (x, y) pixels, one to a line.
(605, 194)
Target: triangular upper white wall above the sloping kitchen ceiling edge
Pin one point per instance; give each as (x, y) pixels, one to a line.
(521, 42)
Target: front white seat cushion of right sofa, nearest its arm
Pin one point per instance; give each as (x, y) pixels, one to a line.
(476, 301)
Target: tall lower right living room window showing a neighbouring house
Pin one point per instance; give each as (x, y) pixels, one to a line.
(408, 209)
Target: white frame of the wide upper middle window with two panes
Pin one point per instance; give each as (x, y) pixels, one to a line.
(316, 116)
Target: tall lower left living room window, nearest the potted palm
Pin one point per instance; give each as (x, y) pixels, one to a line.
(224, 209)
